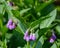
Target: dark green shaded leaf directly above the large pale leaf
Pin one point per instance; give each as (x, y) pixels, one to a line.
(47, 10)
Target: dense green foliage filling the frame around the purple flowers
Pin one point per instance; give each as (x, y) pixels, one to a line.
(40, 17)
